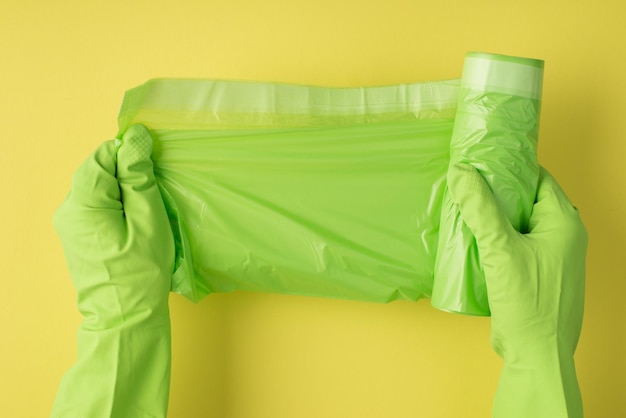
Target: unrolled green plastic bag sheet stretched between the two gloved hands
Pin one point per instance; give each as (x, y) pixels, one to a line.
(333, 192)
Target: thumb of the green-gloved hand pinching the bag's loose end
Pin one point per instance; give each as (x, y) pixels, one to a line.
(141, 200)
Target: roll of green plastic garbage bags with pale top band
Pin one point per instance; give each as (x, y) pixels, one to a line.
(496, 131)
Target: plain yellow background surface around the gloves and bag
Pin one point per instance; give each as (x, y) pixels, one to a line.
(64, 66)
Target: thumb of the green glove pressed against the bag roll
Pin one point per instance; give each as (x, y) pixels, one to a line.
(480, 210)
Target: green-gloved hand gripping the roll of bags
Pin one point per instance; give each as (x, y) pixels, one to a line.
(535, 285)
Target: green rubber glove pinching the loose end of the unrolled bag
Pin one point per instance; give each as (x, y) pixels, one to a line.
(120, 254)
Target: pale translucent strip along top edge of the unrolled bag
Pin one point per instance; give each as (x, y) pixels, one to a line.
(224, 104)
